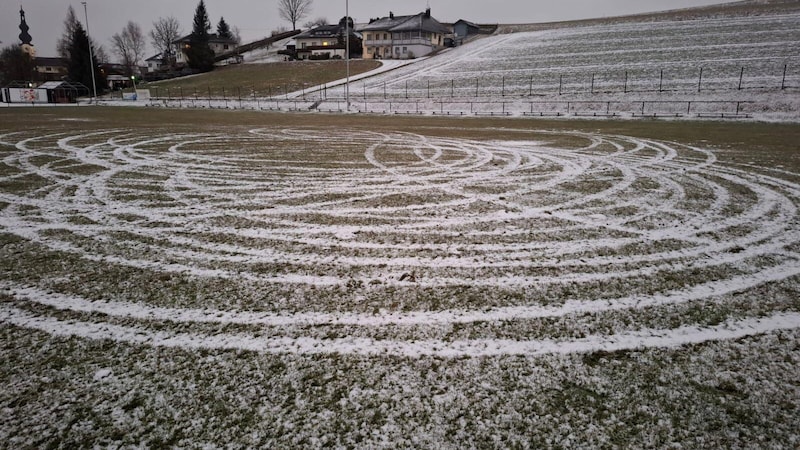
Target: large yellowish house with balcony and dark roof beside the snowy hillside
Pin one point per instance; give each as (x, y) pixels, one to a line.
(403, 37)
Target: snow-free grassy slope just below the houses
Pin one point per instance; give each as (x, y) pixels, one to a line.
(263, 79)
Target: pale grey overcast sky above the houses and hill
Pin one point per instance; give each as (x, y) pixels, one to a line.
(256, 18)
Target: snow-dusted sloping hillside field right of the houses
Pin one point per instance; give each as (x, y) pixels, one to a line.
(752, 59)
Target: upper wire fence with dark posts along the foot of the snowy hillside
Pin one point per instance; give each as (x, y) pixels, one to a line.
(706, 80)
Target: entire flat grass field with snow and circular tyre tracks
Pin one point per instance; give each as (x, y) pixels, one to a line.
(242, 279)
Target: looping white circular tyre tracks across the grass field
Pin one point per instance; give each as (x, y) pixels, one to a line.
(576, 225)
